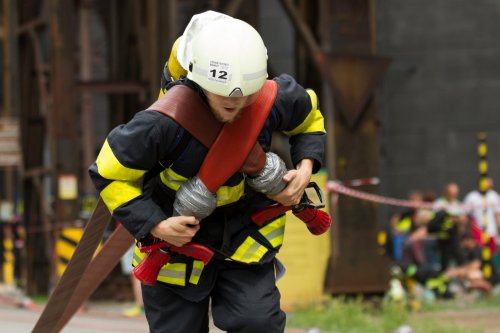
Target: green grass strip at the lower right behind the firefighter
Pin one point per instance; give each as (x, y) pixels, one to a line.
(354, 315)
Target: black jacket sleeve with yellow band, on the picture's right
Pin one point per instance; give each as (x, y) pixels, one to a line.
(296, 113)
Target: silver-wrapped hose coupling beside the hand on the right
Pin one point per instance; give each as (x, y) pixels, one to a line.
(270, 179)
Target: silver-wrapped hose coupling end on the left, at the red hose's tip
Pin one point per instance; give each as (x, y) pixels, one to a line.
(194, 199)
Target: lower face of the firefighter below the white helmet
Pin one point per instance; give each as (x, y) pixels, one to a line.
(227, 109)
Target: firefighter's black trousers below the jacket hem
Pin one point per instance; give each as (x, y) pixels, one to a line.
(244, 299)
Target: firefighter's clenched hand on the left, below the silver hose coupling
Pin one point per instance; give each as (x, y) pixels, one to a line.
(177, 230)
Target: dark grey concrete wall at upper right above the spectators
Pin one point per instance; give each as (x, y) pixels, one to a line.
(441, 90)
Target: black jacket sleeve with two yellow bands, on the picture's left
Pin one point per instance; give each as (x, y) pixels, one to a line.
(126, 160)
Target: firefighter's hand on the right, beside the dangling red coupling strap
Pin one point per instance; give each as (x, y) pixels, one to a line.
(297, 180)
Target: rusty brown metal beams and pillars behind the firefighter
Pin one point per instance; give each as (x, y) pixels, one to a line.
(74, 69)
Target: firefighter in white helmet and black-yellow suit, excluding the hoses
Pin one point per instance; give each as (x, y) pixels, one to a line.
(148, 166)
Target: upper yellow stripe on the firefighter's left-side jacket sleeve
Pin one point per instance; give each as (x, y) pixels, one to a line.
(110, 168)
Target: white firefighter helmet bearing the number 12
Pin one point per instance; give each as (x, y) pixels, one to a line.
(224, 56)
